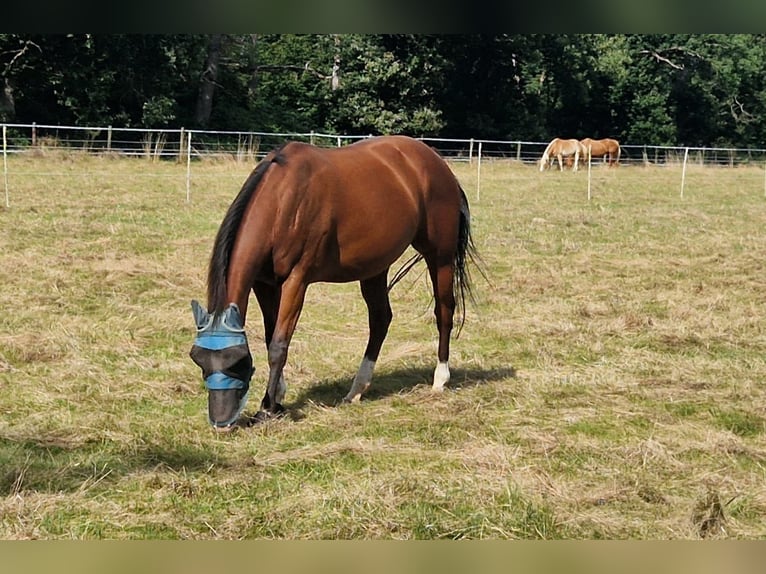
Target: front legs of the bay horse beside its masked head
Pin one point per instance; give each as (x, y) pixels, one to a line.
(290, 297)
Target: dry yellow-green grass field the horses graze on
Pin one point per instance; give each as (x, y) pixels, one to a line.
(608, 382)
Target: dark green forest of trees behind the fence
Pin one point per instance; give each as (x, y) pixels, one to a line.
(658, 89)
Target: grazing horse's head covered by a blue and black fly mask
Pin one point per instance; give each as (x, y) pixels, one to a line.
(220, 350)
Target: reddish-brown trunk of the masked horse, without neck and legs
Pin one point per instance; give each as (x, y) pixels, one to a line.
(349, 212)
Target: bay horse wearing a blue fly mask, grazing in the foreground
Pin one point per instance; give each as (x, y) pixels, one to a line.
(307, 214)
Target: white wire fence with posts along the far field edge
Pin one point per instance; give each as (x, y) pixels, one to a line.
(189, 146)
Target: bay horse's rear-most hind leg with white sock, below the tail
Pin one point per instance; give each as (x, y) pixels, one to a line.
(442, 275)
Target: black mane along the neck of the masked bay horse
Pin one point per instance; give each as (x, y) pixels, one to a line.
(227, 233)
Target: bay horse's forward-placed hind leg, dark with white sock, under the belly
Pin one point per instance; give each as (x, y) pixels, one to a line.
(375, 294)
